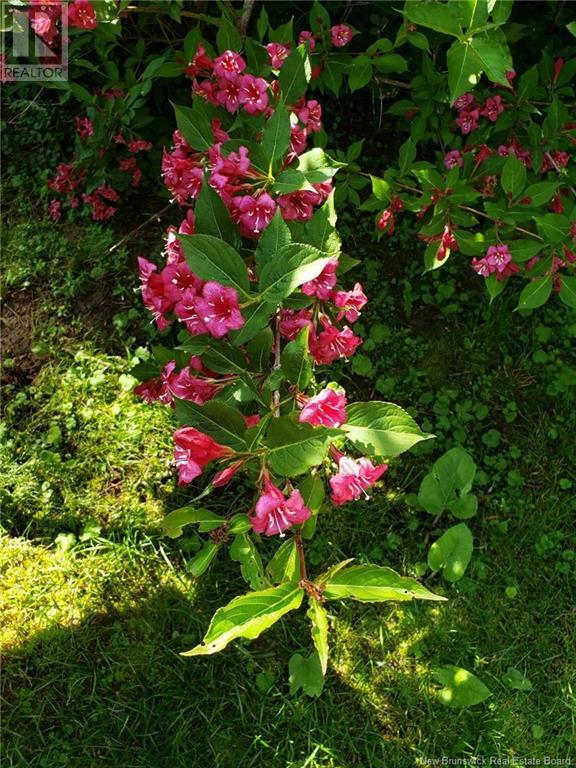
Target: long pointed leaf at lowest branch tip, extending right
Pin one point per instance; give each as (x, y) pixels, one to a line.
(374, 584)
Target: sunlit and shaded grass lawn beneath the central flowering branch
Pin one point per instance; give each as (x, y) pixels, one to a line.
(97, 605)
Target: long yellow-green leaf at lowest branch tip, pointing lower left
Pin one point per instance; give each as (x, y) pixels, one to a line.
(248, 616)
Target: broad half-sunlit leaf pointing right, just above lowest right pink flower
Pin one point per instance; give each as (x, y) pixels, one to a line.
(382, 429)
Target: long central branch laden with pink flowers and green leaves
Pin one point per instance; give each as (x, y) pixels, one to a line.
(256, 278)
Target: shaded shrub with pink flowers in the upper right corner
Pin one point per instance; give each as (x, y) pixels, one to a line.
(497, 185)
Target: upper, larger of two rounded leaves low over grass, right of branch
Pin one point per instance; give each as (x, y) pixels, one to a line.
(452, 472)
